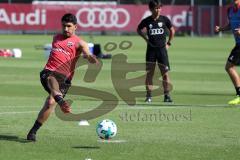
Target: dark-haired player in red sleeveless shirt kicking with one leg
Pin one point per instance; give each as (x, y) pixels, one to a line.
(58, 72)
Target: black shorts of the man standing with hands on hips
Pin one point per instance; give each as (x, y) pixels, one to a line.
(158, 55)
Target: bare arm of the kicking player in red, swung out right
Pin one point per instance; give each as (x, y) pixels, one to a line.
(85, 49)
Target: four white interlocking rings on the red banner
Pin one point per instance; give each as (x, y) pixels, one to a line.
(103, 17)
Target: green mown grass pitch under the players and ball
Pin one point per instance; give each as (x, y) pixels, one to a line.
(199, 125)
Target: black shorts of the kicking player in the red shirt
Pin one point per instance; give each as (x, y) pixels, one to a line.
(63, 81)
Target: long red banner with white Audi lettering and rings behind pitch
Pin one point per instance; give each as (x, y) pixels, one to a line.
(125, 18)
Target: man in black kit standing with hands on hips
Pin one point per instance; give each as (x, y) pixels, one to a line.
(157, 27)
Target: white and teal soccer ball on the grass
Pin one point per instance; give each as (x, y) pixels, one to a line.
(106, 129)
